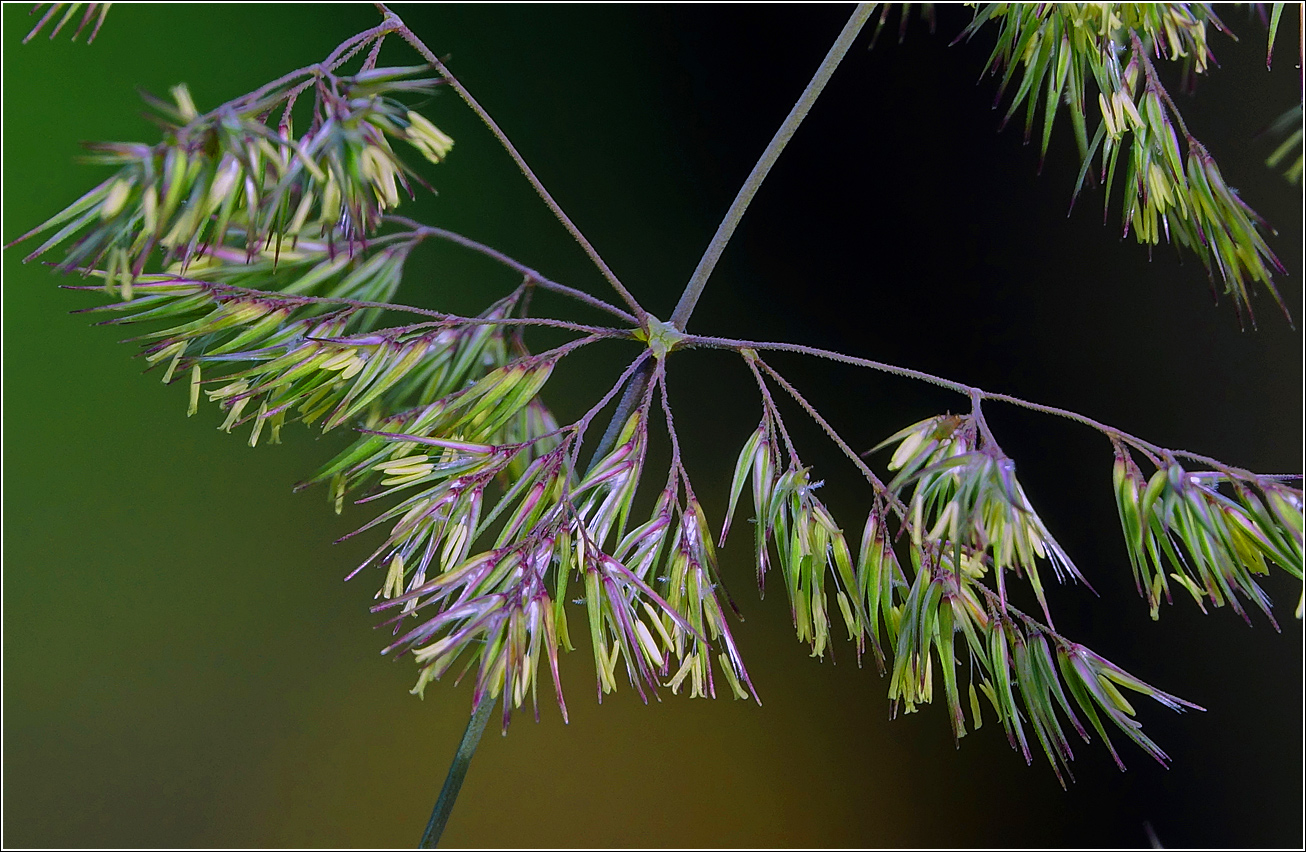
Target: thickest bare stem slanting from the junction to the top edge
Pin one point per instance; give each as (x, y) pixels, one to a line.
(699, 280)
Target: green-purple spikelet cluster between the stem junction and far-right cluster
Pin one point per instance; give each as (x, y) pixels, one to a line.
(961, 513)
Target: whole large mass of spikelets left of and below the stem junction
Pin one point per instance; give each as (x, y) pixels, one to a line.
(274, 297)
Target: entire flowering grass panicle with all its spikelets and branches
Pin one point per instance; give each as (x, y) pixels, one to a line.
(264, 267)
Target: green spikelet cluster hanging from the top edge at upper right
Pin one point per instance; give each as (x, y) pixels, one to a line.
(1170, 182)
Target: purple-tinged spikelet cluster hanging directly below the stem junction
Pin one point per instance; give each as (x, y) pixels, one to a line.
(500, 581)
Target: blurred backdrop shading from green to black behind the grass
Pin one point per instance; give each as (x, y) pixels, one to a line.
(185, 667)
